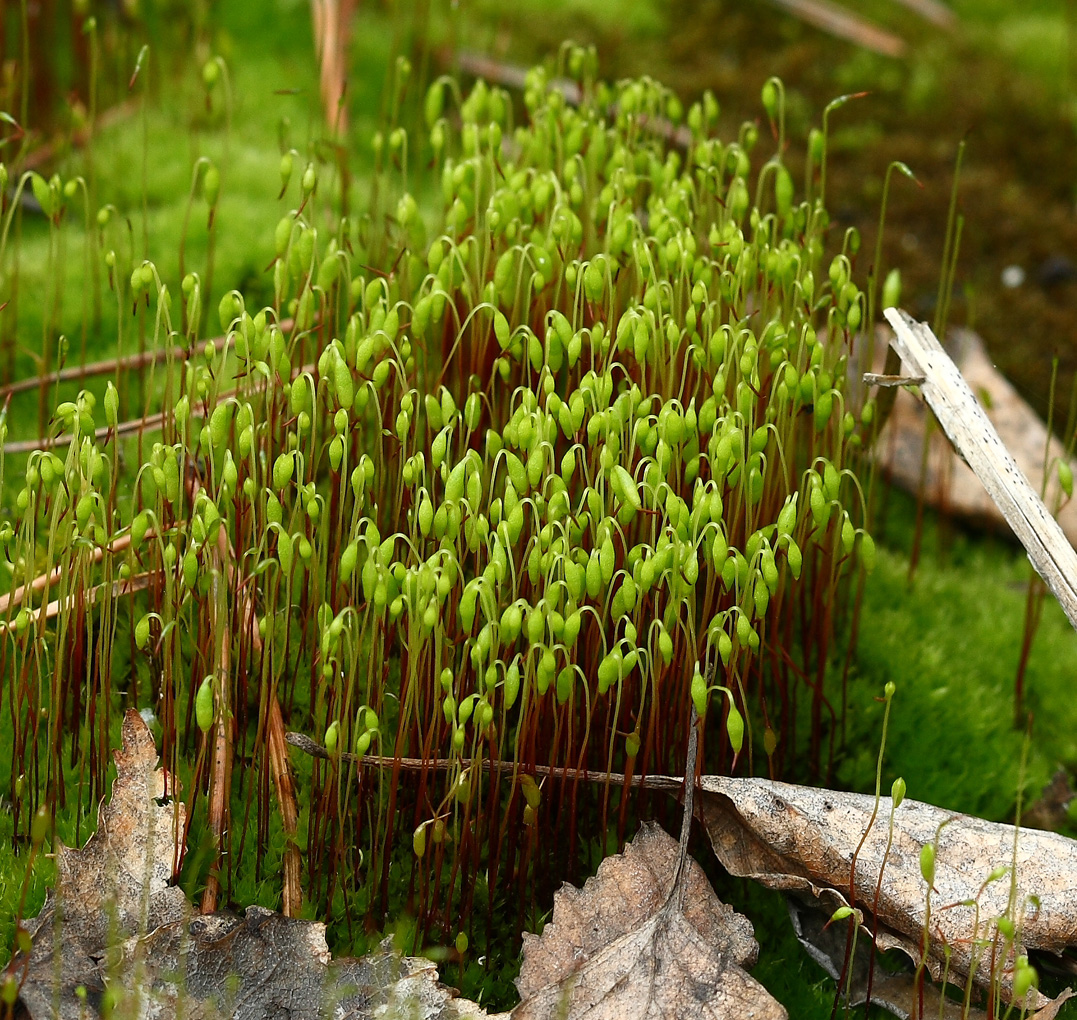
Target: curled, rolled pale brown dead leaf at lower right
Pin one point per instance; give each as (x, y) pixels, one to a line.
(803, 841)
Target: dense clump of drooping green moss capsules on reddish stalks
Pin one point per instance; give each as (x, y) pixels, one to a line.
(500, 481)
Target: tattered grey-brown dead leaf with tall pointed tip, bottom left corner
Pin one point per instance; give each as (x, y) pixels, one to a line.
(116, 930)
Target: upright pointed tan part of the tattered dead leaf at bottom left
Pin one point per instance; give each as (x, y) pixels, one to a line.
(115, 887)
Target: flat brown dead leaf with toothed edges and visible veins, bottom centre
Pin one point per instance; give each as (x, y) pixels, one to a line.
(644, 940)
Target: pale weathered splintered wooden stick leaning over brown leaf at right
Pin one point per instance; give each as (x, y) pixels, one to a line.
(976, 440)
